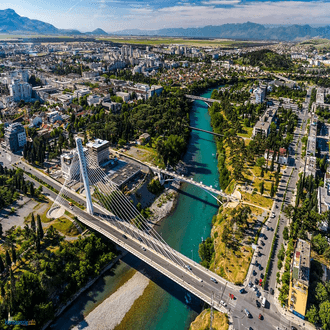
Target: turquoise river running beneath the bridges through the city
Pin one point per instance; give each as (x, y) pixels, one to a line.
(162, 306)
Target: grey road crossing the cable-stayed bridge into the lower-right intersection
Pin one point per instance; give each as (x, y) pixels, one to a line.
(191, 281)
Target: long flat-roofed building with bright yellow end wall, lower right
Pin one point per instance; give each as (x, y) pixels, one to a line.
(300, 270)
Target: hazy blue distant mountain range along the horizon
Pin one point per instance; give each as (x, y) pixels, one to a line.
(11, 22)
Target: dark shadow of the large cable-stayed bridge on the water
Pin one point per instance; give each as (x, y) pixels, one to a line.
(164, 282)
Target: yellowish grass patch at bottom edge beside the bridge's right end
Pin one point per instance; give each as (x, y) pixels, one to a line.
(202, 321)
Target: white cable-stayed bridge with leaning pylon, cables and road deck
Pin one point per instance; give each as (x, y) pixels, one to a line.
(110, 212)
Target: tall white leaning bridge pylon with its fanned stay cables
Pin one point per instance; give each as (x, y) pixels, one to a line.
(87, 183)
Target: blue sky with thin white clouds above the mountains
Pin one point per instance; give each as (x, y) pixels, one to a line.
(117, 15)
